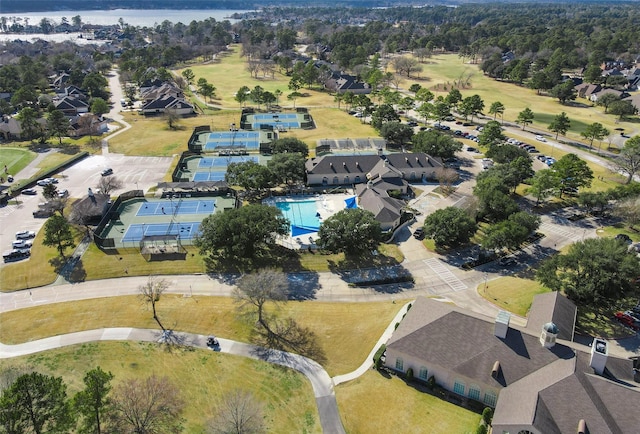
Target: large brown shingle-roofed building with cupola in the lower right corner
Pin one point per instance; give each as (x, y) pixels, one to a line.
(537, 382)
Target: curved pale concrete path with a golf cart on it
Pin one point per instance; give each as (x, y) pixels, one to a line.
(320, 380)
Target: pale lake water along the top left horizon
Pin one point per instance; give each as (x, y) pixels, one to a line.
(133, 17)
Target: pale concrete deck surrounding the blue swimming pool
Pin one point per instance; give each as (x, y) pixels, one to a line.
(327, 205)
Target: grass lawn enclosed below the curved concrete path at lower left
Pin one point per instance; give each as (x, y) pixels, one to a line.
(203, 377)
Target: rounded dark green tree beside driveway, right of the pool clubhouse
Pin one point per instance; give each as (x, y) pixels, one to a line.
(450, 226)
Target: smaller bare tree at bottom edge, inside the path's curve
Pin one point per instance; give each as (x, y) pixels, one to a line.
(239, 413)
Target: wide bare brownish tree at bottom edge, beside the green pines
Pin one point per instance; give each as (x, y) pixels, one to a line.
(146, 406)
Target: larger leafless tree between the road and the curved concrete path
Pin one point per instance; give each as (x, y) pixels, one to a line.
(257, 289)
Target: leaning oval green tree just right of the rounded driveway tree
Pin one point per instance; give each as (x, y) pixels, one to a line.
(511, 233)
